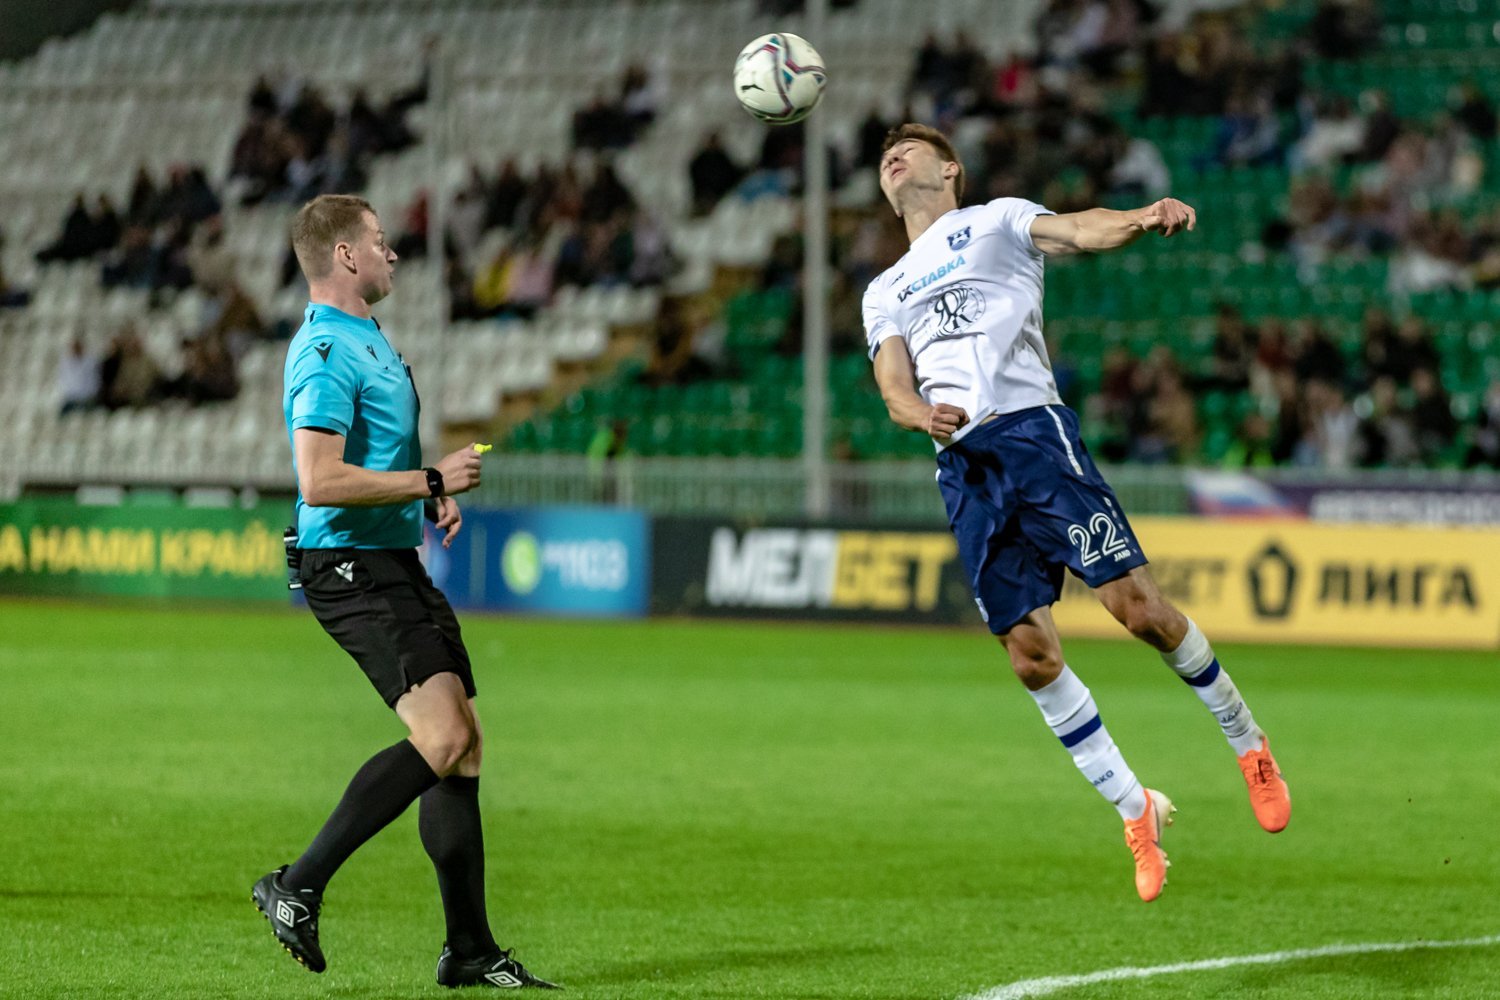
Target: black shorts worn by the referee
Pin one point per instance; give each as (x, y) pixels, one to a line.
(382, 608)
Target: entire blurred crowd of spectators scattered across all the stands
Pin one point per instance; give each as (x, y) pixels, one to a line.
(1048, 125)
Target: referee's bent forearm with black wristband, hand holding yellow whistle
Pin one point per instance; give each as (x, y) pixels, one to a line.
(326, 481)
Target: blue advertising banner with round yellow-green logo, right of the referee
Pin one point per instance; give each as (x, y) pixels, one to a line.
(587, 561)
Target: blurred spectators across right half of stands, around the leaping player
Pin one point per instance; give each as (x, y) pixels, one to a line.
(1037, 128)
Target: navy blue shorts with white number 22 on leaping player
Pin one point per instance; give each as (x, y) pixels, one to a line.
(1027, 501)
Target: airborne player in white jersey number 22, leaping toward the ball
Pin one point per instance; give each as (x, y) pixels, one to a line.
(955, 332)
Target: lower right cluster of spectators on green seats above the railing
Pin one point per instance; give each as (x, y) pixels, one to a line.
(1303, 401)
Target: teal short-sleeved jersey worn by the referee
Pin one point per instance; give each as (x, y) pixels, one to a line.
(343, 376)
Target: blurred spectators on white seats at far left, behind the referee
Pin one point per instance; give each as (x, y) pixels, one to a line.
(293, 146)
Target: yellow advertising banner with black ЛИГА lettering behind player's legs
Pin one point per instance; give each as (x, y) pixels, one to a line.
(1301, 582)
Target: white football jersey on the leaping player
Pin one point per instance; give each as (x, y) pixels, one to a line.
(967, 299)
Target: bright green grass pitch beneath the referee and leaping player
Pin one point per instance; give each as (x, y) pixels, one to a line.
(734, 810)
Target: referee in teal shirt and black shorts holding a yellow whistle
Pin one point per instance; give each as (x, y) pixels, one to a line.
(352, 413)
